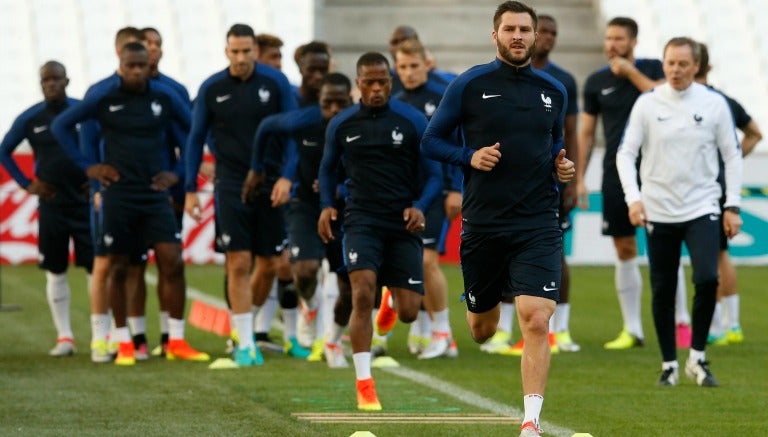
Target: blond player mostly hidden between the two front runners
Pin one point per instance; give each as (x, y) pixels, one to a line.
(425, 94)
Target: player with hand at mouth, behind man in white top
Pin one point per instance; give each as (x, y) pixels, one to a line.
(610, 92)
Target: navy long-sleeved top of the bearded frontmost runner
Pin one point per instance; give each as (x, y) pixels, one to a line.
(522, 109)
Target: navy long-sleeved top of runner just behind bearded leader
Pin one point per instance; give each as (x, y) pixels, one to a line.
(379, 148)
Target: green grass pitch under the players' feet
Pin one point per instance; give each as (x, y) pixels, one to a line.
(605, 393)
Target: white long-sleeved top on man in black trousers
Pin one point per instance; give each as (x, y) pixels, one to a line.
(679, 134)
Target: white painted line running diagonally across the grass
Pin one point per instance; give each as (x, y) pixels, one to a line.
(445, 387)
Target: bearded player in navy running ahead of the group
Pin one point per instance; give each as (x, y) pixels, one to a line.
(512, 118)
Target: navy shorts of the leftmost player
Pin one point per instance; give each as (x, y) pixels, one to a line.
(56, 225)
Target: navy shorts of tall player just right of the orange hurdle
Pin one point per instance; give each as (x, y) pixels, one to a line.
(254, 226)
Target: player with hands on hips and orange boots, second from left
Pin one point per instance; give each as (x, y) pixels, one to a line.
(135, 114)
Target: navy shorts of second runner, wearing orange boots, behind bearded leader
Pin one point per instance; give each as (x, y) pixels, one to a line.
(396, 256)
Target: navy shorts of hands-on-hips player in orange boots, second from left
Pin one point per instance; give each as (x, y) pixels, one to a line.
(136, 220)
